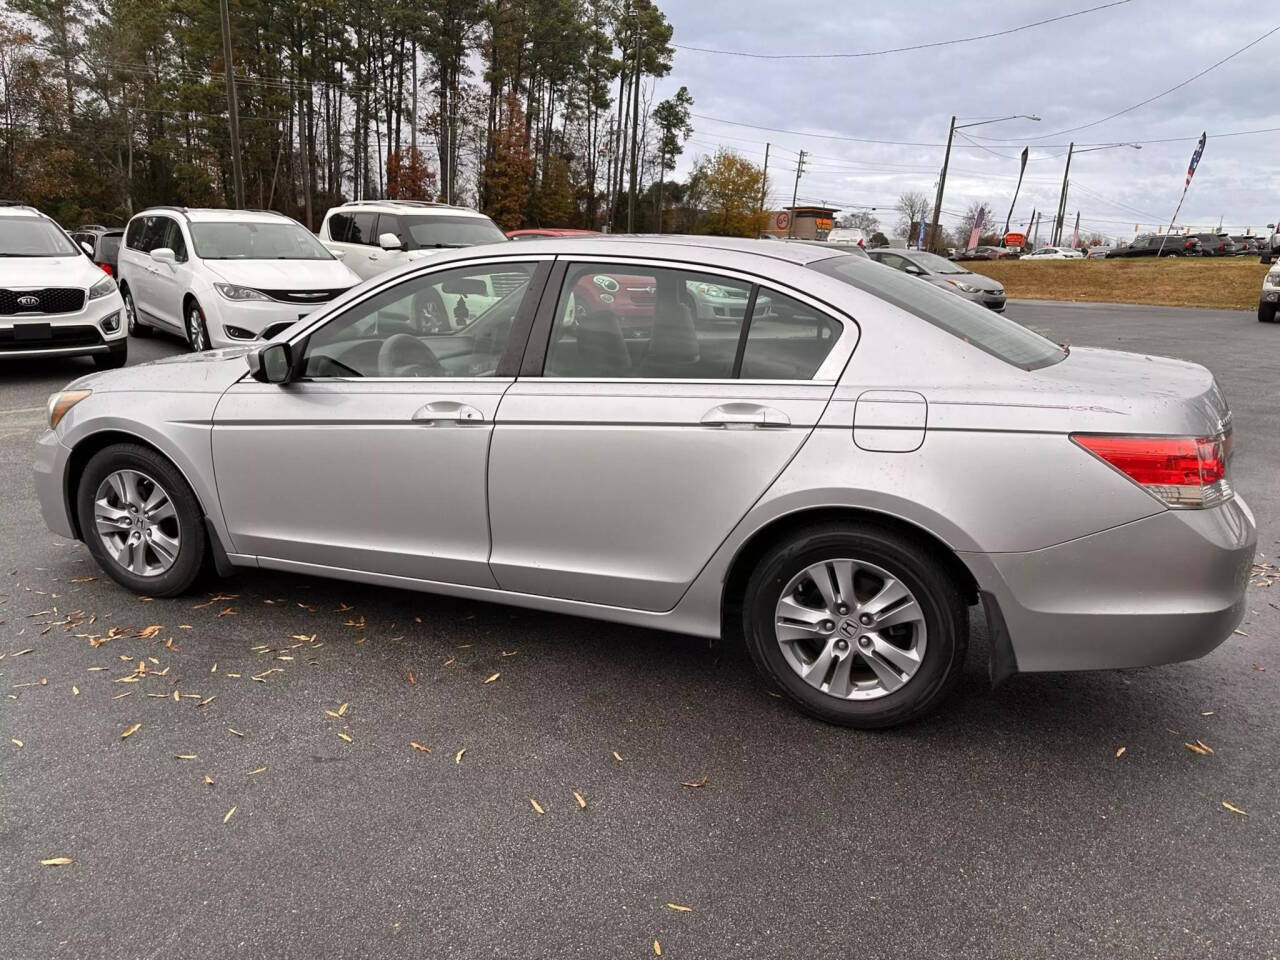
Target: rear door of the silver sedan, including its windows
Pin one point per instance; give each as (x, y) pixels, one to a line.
(624, 459)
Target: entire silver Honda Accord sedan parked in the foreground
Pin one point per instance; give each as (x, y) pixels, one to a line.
(836, 477)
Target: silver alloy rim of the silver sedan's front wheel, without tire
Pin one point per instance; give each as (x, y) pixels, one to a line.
(138, 523)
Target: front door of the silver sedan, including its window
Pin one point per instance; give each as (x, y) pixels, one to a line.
(373, 459)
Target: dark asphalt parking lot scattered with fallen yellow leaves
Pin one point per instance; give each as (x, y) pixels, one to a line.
(307, 824)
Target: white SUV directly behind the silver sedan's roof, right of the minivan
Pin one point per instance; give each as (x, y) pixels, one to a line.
(374, 236)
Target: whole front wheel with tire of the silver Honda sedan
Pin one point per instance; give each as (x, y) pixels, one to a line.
(141, 520)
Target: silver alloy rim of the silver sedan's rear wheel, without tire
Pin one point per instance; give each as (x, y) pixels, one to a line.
(851, 629)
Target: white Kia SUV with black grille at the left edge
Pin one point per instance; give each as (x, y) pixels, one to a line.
(54, 300)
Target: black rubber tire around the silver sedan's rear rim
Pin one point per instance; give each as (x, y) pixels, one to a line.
(913, 564)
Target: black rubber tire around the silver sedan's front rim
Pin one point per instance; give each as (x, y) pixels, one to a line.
(193, 541)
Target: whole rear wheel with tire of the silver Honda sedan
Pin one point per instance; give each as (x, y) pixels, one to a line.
(858, 625)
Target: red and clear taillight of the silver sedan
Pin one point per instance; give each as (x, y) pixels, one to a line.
(1183, 472)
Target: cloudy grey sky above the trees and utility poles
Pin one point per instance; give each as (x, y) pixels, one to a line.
(1071, 74)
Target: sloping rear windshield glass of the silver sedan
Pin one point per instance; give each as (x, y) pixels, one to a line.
(972, 323)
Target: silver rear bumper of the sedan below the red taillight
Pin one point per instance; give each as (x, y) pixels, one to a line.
(1163, 589)
